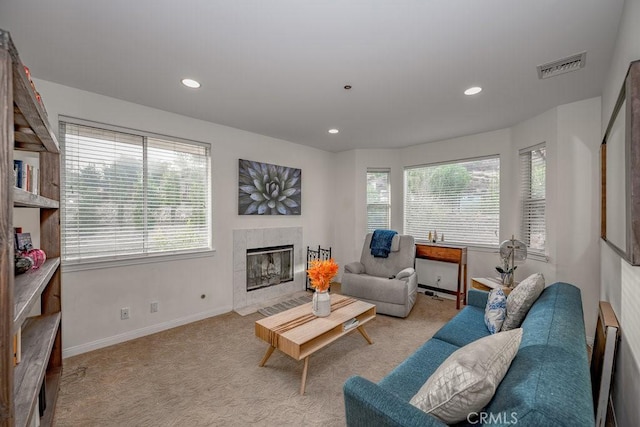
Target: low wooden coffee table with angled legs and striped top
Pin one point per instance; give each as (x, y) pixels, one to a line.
(298, 333)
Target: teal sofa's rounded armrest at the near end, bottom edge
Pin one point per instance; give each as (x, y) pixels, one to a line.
(367, 404)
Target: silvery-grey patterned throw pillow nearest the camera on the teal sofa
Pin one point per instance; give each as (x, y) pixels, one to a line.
(468, 379)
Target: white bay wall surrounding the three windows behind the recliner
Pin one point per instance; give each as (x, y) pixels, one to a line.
(572, 136)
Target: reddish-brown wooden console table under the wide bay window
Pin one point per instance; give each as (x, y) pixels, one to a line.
(447, 253)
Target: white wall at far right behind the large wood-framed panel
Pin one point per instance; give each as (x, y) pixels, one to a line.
(620, 282)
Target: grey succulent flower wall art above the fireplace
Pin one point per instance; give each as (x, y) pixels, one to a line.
(266, 189)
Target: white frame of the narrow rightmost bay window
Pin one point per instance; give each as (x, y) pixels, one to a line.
(536, 253)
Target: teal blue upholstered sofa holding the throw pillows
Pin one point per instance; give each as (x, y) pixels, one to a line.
(548, 383)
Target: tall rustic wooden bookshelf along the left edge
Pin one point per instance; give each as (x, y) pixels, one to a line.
(25, 126)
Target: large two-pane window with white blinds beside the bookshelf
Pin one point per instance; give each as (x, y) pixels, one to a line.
(127, 194)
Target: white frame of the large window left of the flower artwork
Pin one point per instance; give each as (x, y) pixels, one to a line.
(142, 257)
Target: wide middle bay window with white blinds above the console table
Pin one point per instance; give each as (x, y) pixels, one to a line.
(460, 199)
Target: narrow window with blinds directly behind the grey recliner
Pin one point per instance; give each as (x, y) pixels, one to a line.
(378, 199)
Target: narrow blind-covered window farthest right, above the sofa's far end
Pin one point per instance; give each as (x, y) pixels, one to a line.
(532, 192)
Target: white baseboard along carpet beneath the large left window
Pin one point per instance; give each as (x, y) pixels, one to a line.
(137, 333)
